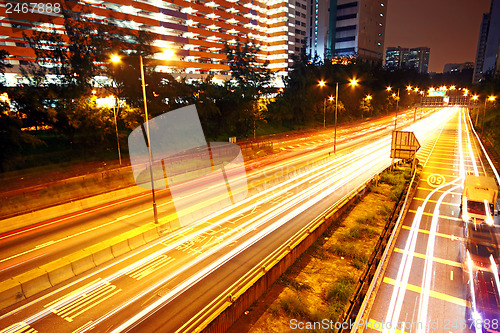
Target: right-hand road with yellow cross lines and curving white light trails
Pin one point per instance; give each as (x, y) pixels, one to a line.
(423, 288)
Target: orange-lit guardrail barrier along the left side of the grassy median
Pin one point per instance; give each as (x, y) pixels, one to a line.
(223, 311)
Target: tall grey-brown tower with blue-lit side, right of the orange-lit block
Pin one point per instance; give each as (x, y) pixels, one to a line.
(339, 29)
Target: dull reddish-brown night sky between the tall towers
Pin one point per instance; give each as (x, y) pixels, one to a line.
(449, 27)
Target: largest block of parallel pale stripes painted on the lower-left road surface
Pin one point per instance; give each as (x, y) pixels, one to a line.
(69, 309)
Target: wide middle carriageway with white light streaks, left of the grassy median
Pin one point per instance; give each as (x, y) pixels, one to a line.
(162, 285)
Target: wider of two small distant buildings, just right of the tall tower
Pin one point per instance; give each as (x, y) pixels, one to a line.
(402, 57)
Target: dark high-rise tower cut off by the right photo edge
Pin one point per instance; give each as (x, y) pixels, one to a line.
(489, 39)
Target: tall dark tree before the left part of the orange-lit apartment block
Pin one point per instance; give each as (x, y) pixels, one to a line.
(75, 57)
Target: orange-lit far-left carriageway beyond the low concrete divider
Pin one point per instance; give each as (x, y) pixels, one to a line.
(47, 240)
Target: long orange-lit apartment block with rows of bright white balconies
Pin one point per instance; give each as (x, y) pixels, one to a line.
(195, 30)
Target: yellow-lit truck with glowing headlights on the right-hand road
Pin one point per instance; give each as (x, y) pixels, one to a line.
(479, 199)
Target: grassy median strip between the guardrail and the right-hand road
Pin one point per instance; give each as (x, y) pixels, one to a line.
(321, 282)
